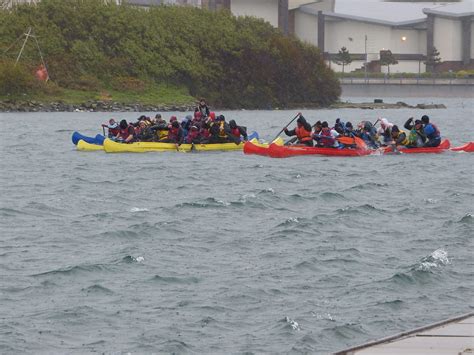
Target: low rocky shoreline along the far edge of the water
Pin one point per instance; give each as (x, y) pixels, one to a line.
(107, 106)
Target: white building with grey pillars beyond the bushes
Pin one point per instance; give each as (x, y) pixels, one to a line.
(408, 30)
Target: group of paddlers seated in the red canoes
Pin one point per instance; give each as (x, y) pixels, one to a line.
(419, 133)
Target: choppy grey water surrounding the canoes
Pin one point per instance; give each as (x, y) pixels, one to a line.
(227, 253)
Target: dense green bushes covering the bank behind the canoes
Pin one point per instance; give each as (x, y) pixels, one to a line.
(234, 62)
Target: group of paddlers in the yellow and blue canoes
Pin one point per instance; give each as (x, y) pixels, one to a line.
(204, 127)
